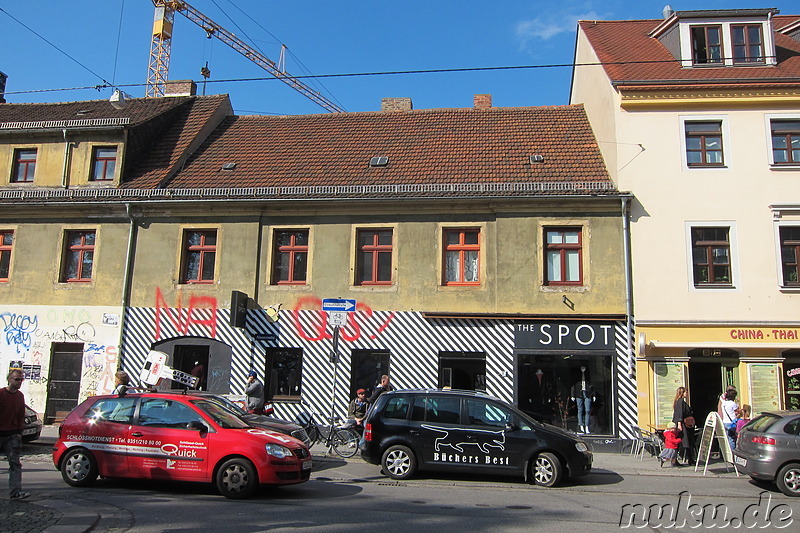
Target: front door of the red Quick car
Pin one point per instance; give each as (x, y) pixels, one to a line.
(162, 446)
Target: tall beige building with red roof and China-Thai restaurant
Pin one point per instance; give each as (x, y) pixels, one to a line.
(707, 139)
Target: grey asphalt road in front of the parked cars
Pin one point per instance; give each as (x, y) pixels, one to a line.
(354, 496)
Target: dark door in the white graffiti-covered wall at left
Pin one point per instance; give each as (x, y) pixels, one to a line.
(64, 381)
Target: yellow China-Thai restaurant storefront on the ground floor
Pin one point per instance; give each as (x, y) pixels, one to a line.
(760, 361)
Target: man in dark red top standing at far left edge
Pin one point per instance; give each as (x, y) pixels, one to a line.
(12, 421)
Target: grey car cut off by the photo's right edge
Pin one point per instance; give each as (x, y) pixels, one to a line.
(768, 449)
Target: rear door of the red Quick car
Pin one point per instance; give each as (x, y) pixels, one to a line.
(106, 434)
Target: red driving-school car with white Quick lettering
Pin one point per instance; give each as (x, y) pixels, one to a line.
(180, 437)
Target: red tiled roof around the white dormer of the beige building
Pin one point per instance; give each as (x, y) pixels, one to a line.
(629, 54)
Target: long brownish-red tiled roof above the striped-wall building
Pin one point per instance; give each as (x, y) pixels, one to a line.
(434, 146)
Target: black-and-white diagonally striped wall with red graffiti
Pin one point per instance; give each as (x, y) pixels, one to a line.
(413, 341)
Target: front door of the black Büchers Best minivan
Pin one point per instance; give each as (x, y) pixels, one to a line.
(494, 433)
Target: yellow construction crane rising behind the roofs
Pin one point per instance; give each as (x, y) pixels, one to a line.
(161, 45)
